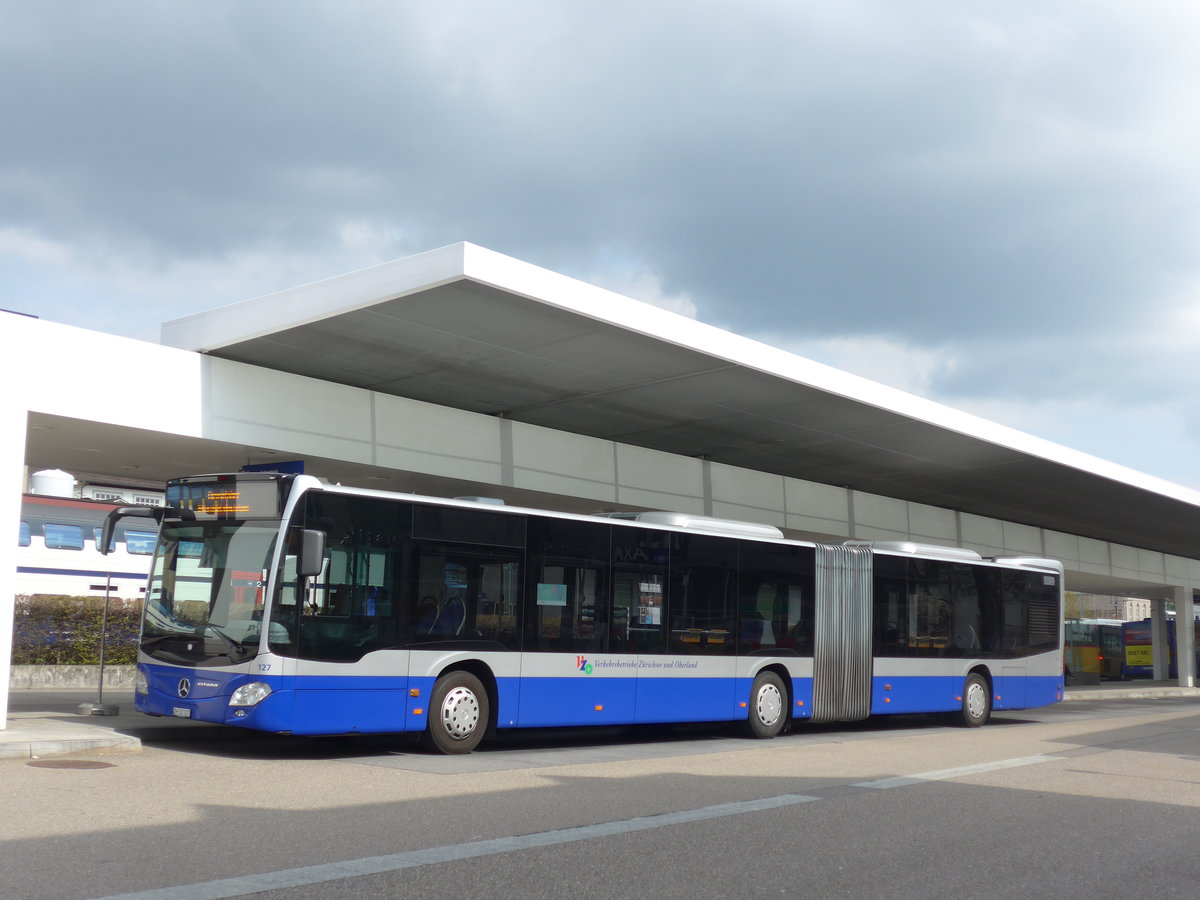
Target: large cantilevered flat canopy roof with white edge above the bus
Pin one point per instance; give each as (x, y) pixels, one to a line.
(466, 328)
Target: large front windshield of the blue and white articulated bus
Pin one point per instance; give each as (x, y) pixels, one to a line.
(205, 604)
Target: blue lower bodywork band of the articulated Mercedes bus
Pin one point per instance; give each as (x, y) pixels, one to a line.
(344, 705)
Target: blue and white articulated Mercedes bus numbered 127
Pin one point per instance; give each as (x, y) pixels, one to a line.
(286, 604)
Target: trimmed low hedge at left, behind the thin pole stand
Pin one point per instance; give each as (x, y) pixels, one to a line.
(65, 631)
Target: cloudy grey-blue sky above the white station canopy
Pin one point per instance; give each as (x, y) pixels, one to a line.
(992, 205)
